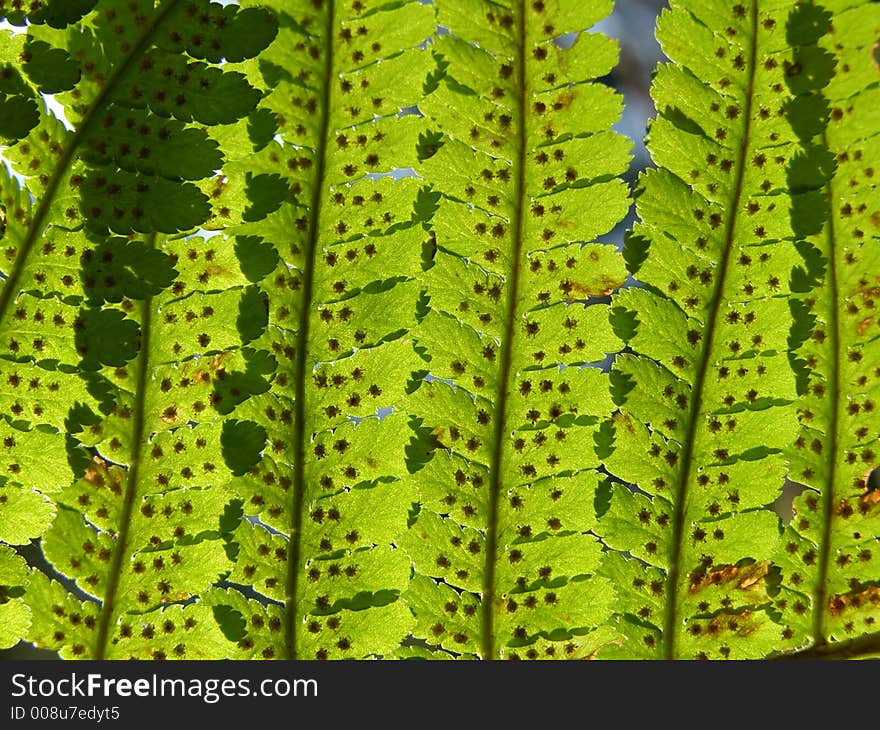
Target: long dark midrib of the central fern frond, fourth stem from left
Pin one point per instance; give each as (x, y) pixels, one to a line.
(487, 615)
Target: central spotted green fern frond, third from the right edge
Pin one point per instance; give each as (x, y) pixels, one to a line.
(526, 169)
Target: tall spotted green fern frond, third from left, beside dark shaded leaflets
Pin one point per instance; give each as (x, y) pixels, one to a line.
(325, 495)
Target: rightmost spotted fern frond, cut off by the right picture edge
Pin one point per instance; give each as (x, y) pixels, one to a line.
(828, 557)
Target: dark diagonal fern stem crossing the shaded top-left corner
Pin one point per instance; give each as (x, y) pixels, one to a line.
(9, 293)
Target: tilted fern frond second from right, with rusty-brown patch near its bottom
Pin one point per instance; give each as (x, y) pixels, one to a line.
(707, 402)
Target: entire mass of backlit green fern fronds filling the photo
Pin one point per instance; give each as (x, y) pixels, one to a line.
(312, 344)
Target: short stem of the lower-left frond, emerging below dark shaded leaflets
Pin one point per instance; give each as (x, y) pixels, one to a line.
(137, 453)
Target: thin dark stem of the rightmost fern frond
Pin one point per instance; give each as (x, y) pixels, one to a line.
(820, 597)
